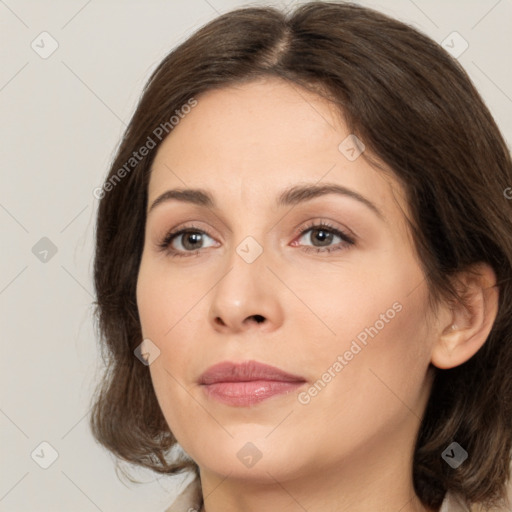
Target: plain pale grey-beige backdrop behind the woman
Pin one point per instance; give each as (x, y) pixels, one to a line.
(61, 118)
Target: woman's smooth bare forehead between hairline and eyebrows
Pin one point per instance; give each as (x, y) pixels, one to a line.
(250, 141)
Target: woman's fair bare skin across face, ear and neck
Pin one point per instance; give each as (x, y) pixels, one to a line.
(350, 447)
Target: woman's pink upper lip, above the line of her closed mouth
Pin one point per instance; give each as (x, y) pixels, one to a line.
(246, 371)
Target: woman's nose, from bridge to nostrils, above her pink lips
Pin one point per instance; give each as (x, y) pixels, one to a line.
(247, 297)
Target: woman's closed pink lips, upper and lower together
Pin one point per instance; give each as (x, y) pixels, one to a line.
(247, 383)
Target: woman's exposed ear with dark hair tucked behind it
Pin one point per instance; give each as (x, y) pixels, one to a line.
(462, 332)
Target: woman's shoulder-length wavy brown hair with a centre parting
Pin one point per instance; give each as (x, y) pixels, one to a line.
(416, 109)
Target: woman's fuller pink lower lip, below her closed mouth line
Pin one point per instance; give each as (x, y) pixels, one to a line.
(243, 394)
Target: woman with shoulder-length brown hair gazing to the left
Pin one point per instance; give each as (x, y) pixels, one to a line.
(303, 271)
